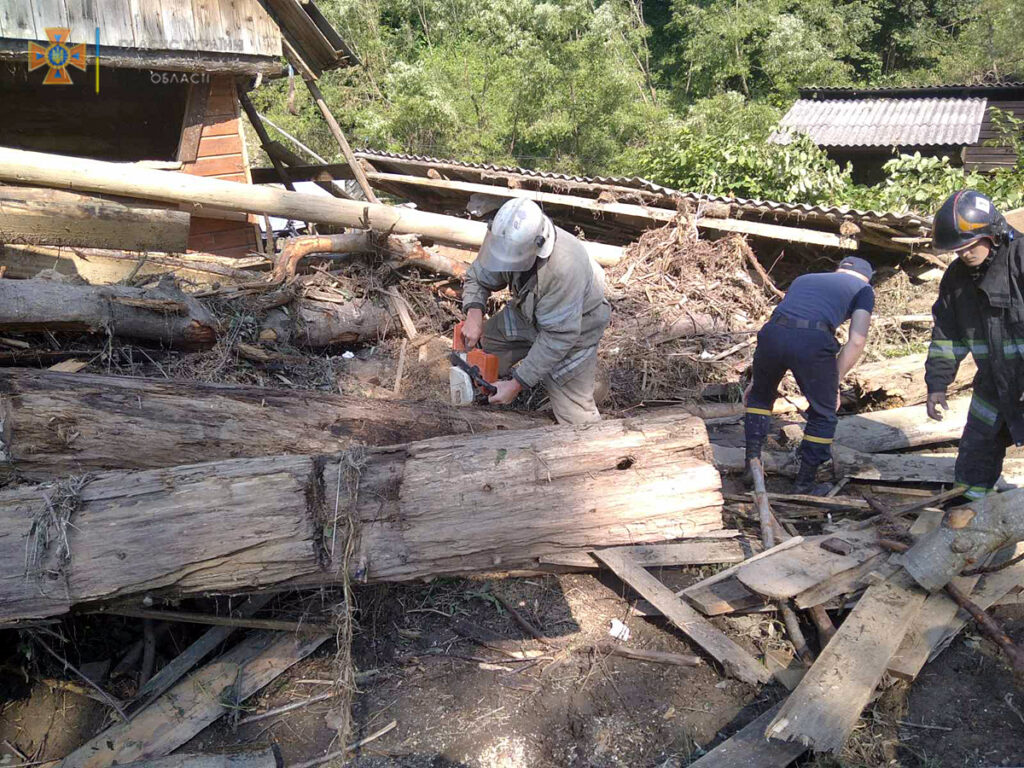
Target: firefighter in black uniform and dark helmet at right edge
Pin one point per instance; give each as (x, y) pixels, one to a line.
(980, 311)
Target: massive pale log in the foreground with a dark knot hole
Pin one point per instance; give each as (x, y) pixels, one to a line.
(449, 505)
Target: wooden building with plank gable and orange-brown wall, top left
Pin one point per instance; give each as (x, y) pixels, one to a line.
(159, 84)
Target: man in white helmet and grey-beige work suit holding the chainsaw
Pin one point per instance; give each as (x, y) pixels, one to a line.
(549, 331)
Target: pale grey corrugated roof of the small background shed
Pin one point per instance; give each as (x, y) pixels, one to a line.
(885, 122)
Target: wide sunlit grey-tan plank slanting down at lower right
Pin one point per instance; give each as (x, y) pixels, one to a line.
(826, 707)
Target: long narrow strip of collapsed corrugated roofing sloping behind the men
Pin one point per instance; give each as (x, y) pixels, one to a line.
(753, 207)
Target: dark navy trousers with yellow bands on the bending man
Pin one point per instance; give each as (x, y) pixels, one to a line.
(810, 354)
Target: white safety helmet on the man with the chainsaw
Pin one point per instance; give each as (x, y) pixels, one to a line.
(519, 236)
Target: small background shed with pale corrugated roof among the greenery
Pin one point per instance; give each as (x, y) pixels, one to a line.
(870, 126)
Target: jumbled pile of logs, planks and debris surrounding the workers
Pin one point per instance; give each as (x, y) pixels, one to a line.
(201, 436)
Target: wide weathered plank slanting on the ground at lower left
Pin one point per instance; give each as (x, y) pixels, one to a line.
(197, 702)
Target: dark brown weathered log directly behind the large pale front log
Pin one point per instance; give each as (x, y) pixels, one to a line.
(57, 423)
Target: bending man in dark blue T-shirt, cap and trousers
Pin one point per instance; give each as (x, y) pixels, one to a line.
(801, 337)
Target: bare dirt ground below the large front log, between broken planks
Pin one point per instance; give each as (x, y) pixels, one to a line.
(458, 703)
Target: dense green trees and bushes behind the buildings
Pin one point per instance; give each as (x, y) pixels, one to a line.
(682, 92)
